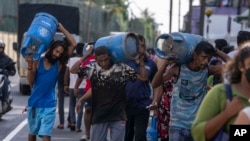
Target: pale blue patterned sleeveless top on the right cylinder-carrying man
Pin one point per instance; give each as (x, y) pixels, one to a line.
(188, 92)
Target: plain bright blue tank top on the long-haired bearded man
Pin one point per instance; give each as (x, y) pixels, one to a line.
(43, 92)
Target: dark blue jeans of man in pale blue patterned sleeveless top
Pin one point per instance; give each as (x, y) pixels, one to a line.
(180, 134)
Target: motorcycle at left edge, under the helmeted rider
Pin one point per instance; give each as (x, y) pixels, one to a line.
(4, 73)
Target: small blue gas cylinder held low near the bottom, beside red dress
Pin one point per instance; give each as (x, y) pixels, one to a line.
(152, 134)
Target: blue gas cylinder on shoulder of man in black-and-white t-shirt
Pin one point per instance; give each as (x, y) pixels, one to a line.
(122, 47)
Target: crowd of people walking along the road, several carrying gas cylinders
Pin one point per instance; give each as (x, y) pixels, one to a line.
(118, 94)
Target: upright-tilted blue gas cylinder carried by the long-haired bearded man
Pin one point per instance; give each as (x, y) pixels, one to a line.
(39, 35)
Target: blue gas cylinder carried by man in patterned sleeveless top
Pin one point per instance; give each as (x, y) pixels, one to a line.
(178, 45)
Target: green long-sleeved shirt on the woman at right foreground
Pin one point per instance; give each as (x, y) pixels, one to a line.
(213, 103)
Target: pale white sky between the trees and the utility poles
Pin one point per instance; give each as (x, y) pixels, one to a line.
(161, 10)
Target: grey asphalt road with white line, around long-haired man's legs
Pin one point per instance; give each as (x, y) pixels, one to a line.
(14, 124)
